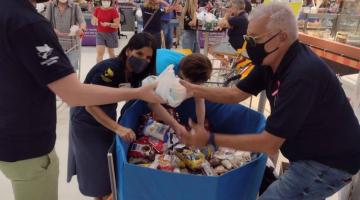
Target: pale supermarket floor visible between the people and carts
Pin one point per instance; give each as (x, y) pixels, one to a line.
(70, 191)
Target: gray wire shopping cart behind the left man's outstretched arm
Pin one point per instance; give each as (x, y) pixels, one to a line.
(72, 48)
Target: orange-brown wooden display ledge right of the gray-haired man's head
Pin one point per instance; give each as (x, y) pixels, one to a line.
(338, 52)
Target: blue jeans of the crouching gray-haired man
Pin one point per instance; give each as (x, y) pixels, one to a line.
(307, 180)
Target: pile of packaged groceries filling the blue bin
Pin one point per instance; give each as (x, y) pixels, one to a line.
(159, 148)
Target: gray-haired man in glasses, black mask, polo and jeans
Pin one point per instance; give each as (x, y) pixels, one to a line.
(311, 120)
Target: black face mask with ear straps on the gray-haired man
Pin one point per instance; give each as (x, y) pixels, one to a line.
(257, 51)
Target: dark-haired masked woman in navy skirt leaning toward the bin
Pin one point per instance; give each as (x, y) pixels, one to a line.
(92, 128)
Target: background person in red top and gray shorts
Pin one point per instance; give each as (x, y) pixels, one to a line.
(107, 20)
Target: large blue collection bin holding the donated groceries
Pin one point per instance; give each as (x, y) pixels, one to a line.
(139, 183)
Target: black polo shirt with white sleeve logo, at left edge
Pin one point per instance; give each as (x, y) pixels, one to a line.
(30, 59)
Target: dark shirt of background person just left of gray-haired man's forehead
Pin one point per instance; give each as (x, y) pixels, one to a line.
(238, 28)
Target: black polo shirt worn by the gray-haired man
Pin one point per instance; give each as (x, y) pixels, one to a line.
(309, 109)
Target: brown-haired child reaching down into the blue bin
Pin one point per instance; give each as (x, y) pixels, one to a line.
(195, 68)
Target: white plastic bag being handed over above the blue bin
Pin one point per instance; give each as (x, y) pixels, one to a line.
(169, 87)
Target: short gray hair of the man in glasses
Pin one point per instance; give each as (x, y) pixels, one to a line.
(281, 17)
